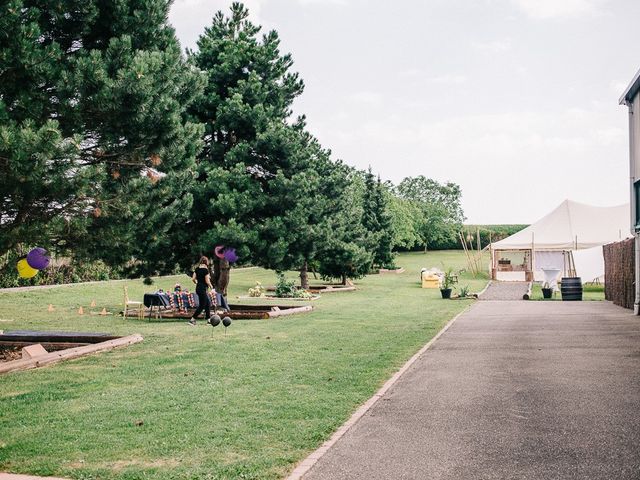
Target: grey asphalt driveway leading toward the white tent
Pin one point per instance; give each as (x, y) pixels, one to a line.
(513, 390)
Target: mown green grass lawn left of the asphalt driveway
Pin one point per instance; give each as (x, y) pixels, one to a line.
(249, 405)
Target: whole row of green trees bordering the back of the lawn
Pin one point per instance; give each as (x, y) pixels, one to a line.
(116, 146)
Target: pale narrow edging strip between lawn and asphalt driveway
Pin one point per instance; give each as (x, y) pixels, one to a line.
(305, 465)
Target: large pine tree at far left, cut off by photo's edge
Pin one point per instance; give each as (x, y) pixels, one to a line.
(92, 93)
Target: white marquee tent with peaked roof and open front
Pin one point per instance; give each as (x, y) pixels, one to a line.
(548, 243)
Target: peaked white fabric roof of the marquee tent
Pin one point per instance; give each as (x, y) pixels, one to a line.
(558, 230)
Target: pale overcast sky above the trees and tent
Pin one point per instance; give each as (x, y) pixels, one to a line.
(514, 100)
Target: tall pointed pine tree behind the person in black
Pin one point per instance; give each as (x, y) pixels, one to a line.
(259, 176)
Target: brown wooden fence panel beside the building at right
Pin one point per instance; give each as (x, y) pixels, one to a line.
(619, 272)
